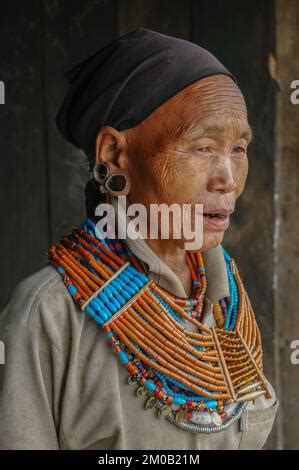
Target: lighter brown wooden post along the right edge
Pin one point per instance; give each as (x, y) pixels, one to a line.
(287, 228)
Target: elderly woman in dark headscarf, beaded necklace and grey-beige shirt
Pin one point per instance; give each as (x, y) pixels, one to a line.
(138, 342)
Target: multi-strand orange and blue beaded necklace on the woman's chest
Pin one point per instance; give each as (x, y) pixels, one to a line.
(200, 381)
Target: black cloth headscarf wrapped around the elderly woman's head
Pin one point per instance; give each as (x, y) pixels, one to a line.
(124, 82)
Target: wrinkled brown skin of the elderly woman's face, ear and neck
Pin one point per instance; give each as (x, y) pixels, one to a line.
(206, 162)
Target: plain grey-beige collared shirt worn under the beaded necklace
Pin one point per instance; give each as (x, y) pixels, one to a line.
(62, 386)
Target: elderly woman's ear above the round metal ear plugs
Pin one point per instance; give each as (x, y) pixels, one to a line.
(111, 148)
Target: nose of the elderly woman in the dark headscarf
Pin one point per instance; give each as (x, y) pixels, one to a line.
(222, 177)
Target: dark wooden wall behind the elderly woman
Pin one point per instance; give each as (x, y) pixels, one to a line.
(43, 177)
